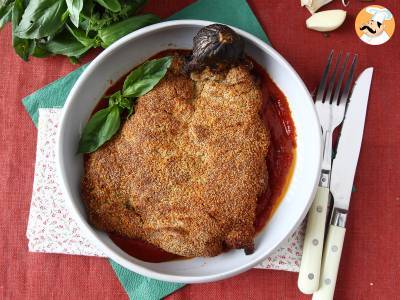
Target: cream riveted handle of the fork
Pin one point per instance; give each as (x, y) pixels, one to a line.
(310, 267)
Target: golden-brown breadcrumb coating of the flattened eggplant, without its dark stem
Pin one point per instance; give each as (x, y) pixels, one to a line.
(185, 171)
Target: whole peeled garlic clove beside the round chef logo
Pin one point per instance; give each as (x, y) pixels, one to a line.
(327, 20)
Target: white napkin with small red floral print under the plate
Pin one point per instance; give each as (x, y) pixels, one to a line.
(52, 229)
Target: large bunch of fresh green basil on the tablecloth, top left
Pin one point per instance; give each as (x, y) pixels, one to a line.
(70, 27)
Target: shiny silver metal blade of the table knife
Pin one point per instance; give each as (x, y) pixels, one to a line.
(345, 163)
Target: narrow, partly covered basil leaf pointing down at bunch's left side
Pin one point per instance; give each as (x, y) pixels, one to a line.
(21, 46)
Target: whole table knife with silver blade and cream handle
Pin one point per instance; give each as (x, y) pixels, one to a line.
(343, 170)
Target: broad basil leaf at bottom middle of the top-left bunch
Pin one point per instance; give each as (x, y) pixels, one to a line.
(66, 44)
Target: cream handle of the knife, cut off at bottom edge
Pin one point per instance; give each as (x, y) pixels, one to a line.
(330, 263)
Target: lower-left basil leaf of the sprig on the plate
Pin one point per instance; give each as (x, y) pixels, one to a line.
(101, 127)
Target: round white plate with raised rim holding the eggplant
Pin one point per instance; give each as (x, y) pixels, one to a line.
(118, 60)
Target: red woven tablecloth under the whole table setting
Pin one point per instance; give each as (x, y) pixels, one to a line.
(370, 267)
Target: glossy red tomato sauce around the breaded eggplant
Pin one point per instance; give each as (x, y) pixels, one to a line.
(280, 161)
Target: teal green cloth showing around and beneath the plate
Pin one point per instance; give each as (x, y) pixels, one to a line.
(232, 12)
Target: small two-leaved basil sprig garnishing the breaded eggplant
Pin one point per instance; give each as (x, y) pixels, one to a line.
(104, 124)
